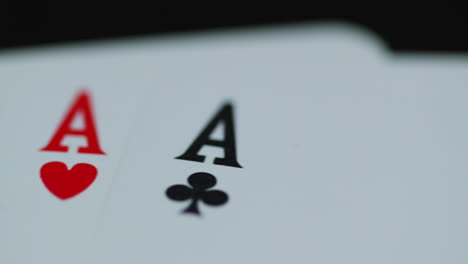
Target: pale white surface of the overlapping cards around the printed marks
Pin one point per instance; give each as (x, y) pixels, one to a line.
(349, 153)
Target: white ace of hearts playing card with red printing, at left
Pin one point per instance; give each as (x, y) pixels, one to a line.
(64, 131)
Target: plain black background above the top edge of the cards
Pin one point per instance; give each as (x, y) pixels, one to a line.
(436, 29)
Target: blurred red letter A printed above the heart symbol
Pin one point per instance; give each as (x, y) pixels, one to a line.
(81, 104)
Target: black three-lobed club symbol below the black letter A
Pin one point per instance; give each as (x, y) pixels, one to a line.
(200, 182)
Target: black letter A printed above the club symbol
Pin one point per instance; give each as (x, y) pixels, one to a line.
(228, 144)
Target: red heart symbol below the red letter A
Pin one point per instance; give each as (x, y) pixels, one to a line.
(65, 183)
